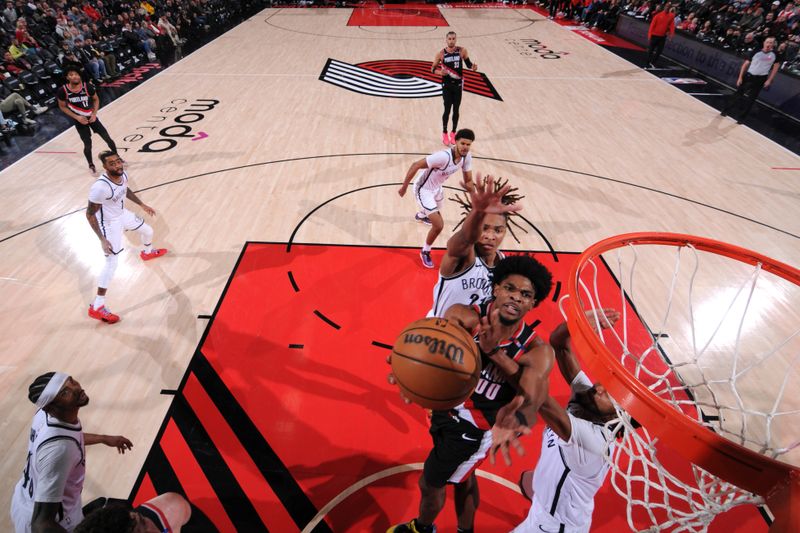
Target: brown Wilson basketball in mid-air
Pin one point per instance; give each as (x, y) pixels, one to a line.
(436, 363)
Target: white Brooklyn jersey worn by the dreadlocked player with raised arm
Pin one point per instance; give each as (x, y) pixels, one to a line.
(470, 287)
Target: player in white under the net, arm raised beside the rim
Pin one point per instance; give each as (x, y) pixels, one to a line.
(572, 465)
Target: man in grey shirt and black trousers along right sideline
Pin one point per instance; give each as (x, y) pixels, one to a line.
(757, 72)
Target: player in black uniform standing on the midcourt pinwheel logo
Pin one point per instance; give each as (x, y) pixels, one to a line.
(449, 64)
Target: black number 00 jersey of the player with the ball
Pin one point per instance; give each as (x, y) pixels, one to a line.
(493, 390)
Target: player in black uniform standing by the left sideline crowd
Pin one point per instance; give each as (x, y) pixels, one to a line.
(78, 100)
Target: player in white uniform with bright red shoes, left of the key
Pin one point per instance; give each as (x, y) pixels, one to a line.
(108, 218)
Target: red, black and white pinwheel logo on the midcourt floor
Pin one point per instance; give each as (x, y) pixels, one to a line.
(399, 78)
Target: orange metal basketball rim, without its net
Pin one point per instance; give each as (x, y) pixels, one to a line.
(776, 481)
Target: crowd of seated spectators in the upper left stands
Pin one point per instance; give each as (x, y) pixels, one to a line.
(107, 37)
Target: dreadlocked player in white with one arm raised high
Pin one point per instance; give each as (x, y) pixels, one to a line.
(465, 274)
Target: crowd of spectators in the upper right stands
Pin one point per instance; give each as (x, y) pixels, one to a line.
(738, 26)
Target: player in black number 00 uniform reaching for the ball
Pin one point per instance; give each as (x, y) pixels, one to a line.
(513, 359)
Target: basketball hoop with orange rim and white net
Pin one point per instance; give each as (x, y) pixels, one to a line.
(693, 383)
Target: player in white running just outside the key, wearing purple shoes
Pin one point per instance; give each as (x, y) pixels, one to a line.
(429, 174)
